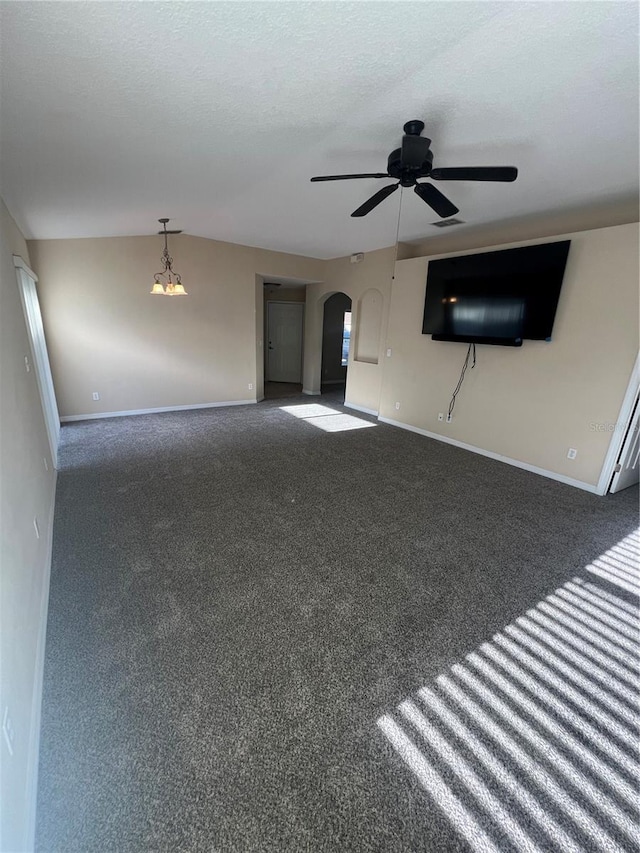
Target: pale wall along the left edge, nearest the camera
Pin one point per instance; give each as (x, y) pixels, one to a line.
(26, 491)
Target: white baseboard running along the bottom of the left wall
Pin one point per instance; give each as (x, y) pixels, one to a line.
(36, 695)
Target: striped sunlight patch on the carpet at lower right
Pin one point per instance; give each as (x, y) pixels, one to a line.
(530, 743)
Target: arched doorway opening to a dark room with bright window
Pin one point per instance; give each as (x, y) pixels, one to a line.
(336, 346)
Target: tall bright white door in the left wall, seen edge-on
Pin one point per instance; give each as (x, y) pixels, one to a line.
(35, 330)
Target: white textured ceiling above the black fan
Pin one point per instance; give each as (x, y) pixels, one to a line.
(217, 114)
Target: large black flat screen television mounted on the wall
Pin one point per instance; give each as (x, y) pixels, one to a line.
(501, 297)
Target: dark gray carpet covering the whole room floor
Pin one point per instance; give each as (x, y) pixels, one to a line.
(245, 609)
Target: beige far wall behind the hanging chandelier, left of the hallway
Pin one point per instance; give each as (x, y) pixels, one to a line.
(107, 334)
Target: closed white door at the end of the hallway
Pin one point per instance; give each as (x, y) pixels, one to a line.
(284, 341)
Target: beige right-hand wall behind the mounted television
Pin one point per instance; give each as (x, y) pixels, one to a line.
(530, 404)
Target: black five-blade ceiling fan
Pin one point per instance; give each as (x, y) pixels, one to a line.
(414, 160)
